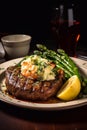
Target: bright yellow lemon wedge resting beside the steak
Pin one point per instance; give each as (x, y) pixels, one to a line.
(70, 89)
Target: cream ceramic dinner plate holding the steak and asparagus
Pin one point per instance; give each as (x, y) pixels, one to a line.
(40, 106)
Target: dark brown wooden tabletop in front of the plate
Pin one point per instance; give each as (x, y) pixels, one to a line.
(17, 118)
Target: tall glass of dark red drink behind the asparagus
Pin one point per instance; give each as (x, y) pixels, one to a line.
(65, 27)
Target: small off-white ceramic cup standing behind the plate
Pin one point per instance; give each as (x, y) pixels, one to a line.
(16, 45)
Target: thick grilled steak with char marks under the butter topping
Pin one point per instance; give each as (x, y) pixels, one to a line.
(25, 88)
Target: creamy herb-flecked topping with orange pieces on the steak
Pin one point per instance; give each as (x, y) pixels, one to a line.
(37, 67)
